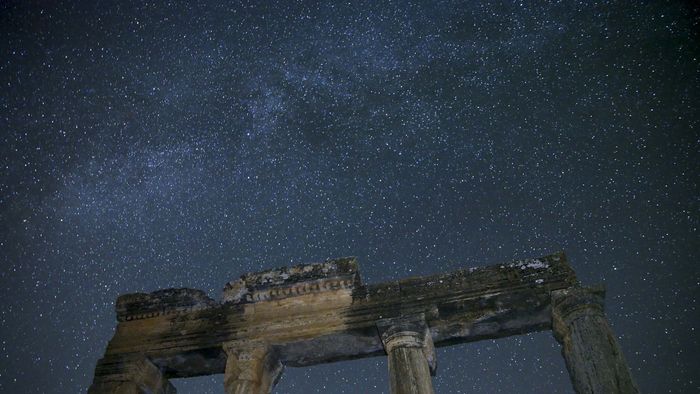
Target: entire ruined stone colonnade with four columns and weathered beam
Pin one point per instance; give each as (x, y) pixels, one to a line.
(320, 313)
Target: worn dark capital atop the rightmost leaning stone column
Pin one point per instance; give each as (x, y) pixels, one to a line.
(572, 303)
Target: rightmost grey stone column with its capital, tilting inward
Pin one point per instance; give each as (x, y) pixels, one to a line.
(593, 356)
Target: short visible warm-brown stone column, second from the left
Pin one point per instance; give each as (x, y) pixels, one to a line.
(251, 368)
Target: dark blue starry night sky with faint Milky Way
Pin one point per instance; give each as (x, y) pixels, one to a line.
(172, 145)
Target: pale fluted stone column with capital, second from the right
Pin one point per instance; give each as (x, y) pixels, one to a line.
(411, 355)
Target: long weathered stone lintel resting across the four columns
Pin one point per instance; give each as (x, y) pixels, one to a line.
(322, 313)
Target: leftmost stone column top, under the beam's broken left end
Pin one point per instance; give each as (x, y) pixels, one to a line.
(132, 376)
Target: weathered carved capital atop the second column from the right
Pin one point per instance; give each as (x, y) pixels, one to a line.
(408, 332)
